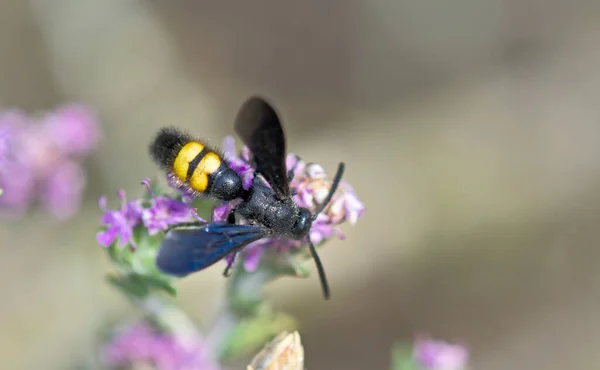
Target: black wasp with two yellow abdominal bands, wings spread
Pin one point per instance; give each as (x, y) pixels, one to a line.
(267, 207)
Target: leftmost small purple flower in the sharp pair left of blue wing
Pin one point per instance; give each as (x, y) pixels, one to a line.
(119, 223)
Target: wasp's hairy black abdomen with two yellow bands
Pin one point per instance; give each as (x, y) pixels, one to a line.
(194, 166)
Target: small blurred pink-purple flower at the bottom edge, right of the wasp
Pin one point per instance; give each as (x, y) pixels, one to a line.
(439, 355)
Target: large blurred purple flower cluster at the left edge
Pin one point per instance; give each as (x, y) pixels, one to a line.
(41, 159)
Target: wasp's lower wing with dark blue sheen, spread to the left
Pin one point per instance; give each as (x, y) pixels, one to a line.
(189, 249)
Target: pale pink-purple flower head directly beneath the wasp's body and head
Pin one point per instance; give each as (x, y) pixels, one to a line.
(311, 186)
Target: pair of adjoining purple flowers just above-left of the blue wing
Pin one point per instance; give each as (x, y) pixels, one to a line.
(156, 214)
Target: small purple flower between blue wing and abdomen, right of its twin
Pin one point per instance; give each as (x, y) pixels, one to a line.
(164, 211)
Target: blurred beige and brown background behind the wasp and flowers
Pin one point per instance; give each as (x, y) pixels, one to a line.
(470, 131)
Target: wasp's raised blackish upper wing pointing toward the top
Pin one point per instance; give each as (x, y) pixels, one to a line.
(259, 127)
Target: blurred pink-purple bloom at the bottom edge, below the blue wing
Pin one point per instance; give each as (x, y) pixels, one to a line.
(142, 345)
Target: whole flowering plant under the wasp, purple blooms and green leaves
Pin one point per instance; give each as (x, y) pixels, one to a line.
(242, 326)
